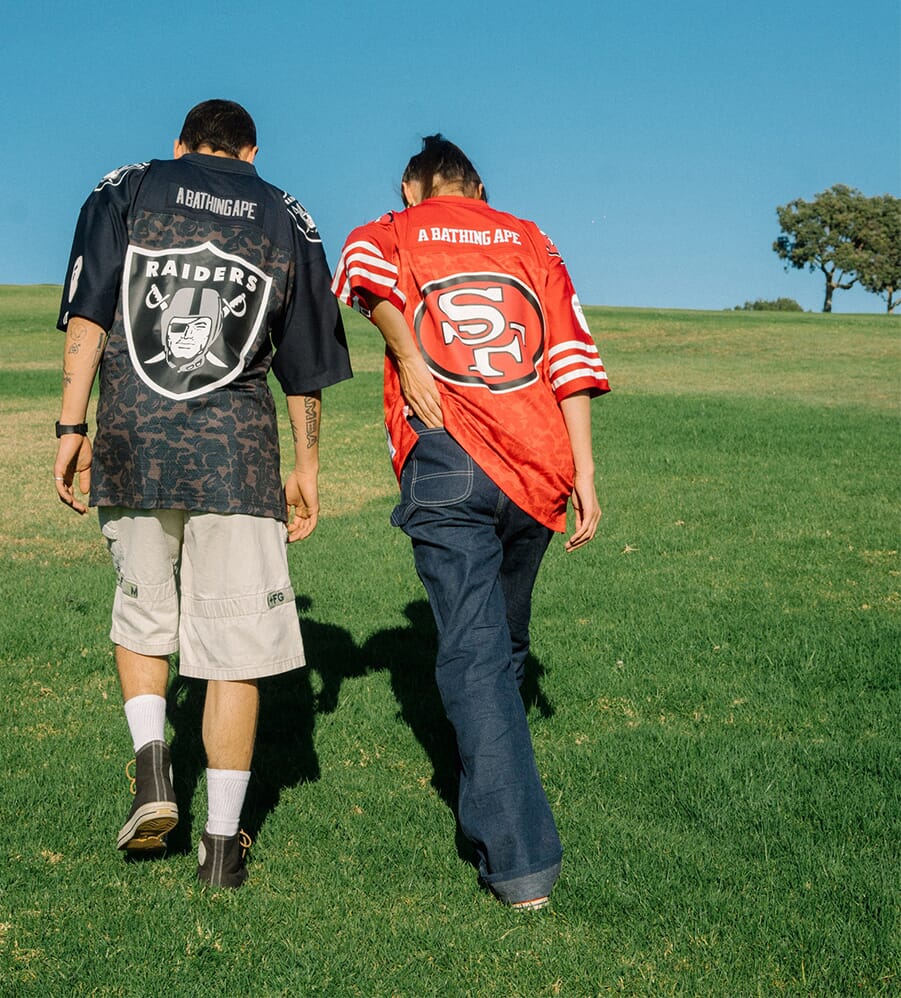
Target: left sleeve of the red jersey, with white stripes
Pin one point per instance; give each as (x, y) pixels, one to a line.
(366, 265)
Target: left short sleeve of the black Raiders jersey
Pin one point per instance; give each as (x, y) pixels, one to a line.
(94, 274)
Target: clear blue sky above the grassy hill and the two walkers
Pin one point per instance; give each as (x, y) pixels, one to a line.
(652, 141)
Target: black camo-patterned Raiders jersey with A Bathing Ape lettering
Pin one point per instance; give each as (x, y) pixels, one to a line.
(205, 277)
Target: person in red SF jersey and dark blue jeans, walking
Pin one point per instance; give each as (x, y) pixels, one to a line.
(489, 372)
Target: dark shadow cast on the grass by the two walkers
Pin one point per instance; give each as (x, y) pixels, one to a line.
(285, 754)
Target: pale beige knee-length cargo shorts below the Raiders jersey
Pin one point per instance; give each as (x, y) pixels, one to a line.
(210, 586)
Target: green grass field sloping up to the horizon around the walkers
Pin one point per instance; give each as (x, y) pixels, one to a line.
(714, 696)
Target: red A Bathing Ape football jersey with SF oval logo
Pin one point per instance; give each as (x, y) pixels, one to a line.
(493, 310)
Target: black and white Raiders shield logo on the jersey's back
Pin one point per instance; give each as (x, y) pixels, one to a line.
(191, 317)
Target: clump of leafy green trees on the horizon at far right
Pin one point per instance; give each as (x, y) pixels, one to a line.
(848, 237)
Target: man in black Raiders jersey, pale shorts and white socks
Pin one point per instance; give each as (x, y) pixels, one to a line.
(188, 279)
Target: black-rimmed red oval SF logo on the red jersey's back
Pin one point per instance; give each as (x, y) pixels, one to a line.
(484, 330)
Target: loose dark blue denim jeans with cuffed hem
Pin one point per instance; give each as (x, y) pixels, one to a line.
(478, 555)
